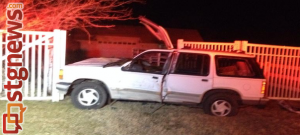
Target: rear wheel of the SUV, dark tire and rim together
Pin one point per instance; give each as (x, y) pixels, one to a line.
(221, 104)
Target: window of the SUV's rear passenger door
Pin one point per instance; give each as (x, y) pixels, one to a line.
(192, 64)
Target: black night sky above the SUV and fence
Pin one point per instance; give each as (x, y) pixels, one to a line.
(269, 22)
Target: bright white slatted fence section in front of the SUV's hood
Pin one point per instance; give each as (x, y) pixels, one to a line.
(43, 56)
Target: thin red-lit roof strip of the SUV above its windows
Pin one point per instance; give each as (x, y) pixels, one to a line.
(210, 52)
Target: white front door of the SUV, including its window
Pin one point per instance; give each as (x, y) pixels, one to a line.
(142, 78)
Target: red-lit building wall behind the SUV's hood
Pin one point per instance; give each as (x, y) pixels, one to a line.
(115, 47)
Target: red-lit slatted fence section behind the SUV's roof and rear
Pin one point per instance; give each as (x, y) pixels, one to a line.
(281, 64)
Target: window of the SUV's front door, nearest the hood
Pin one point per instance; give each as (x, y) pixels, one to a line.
(149, 62)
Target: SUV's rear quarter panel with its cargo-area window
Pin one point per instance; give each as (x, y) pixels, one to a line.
(241, 74)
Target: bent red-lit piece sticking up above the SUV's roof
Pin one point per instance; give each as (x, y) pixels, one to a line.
(159, 32)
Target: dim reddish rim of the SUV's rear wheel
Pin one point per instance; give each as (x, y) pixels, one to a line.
(221, 108)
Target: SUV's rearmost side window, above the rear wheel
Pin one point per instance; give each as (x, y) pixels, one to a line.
(235, 66)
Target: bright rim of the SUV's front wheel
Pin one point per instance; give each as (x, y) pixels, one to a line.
(88, 97)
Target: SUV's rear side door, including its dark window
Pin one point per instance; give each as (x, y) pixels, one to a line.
(188, 79)
